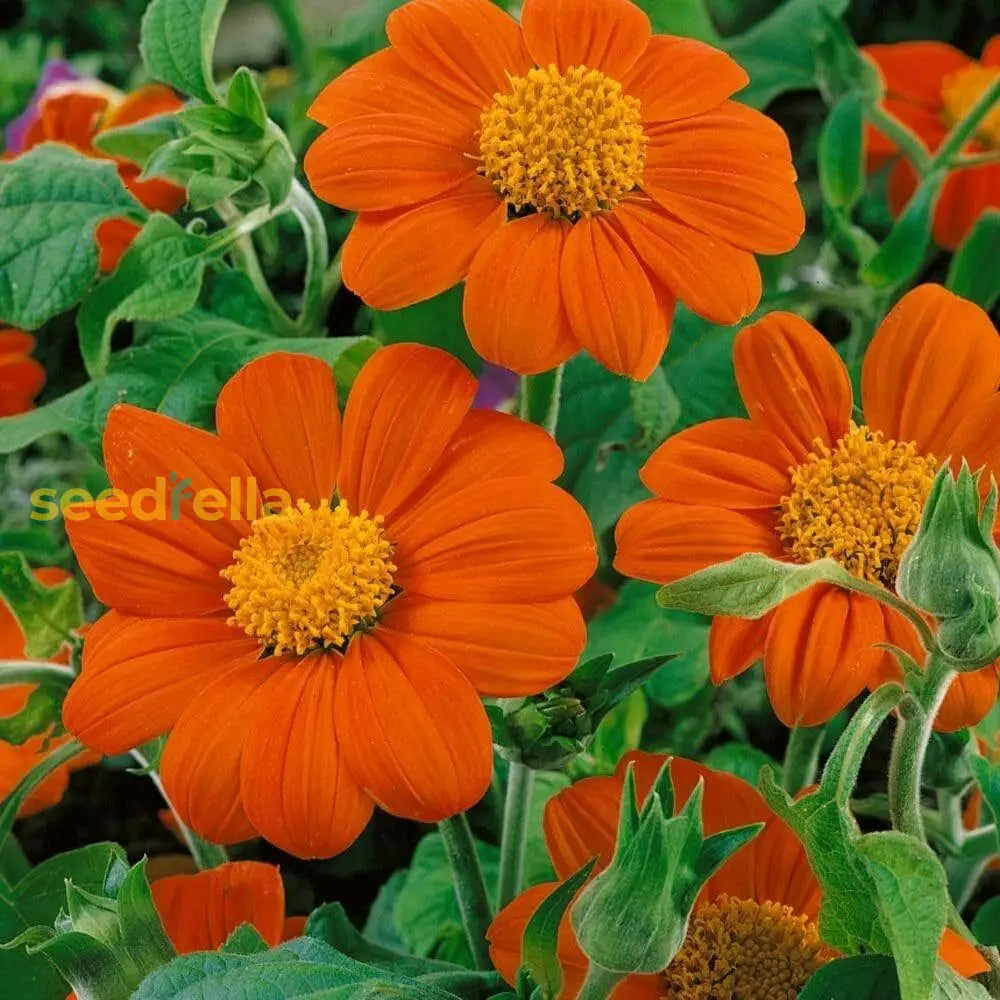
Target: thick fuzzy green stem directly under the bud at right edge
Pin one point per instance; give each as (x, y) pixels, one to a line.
(913, 733)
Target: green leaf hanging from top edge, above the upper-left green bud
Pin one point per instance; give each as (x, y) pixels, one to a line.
(178, 42)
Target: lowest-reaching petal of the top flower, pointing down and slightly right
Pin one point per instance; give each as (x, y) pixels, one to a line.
(612, 308)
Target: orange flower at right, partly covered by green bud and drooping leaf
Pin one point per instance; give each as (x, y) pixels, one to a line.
(800, 480)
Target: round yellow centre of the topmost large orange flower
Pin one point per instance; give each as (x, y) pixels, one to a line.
(567, 144)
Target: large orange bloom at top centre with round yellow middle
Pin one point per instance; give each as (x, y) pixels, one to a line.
(579, 173)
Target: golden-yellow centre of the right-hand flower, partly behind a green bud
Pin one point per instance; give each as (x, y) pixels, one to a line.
(859, 503)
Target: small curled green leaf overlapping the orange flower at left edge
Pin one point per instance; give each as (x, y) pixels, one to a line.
(46, 615)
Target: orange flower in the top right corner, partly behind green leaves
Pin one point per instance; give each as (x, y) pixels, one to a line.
(930, 86)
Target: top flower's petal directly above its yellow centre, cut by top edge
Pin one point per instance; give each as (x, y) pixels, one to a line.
(608, 35)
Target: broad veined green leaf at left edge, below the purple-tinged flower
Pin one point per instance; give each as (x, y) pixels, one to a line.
(51, 201)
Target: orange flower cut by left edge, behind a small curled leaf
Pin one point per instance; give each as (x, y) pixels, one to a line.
(17, 761)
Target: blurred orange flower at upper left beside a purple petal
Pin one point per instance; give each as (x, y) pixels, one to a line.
(75, 114)
